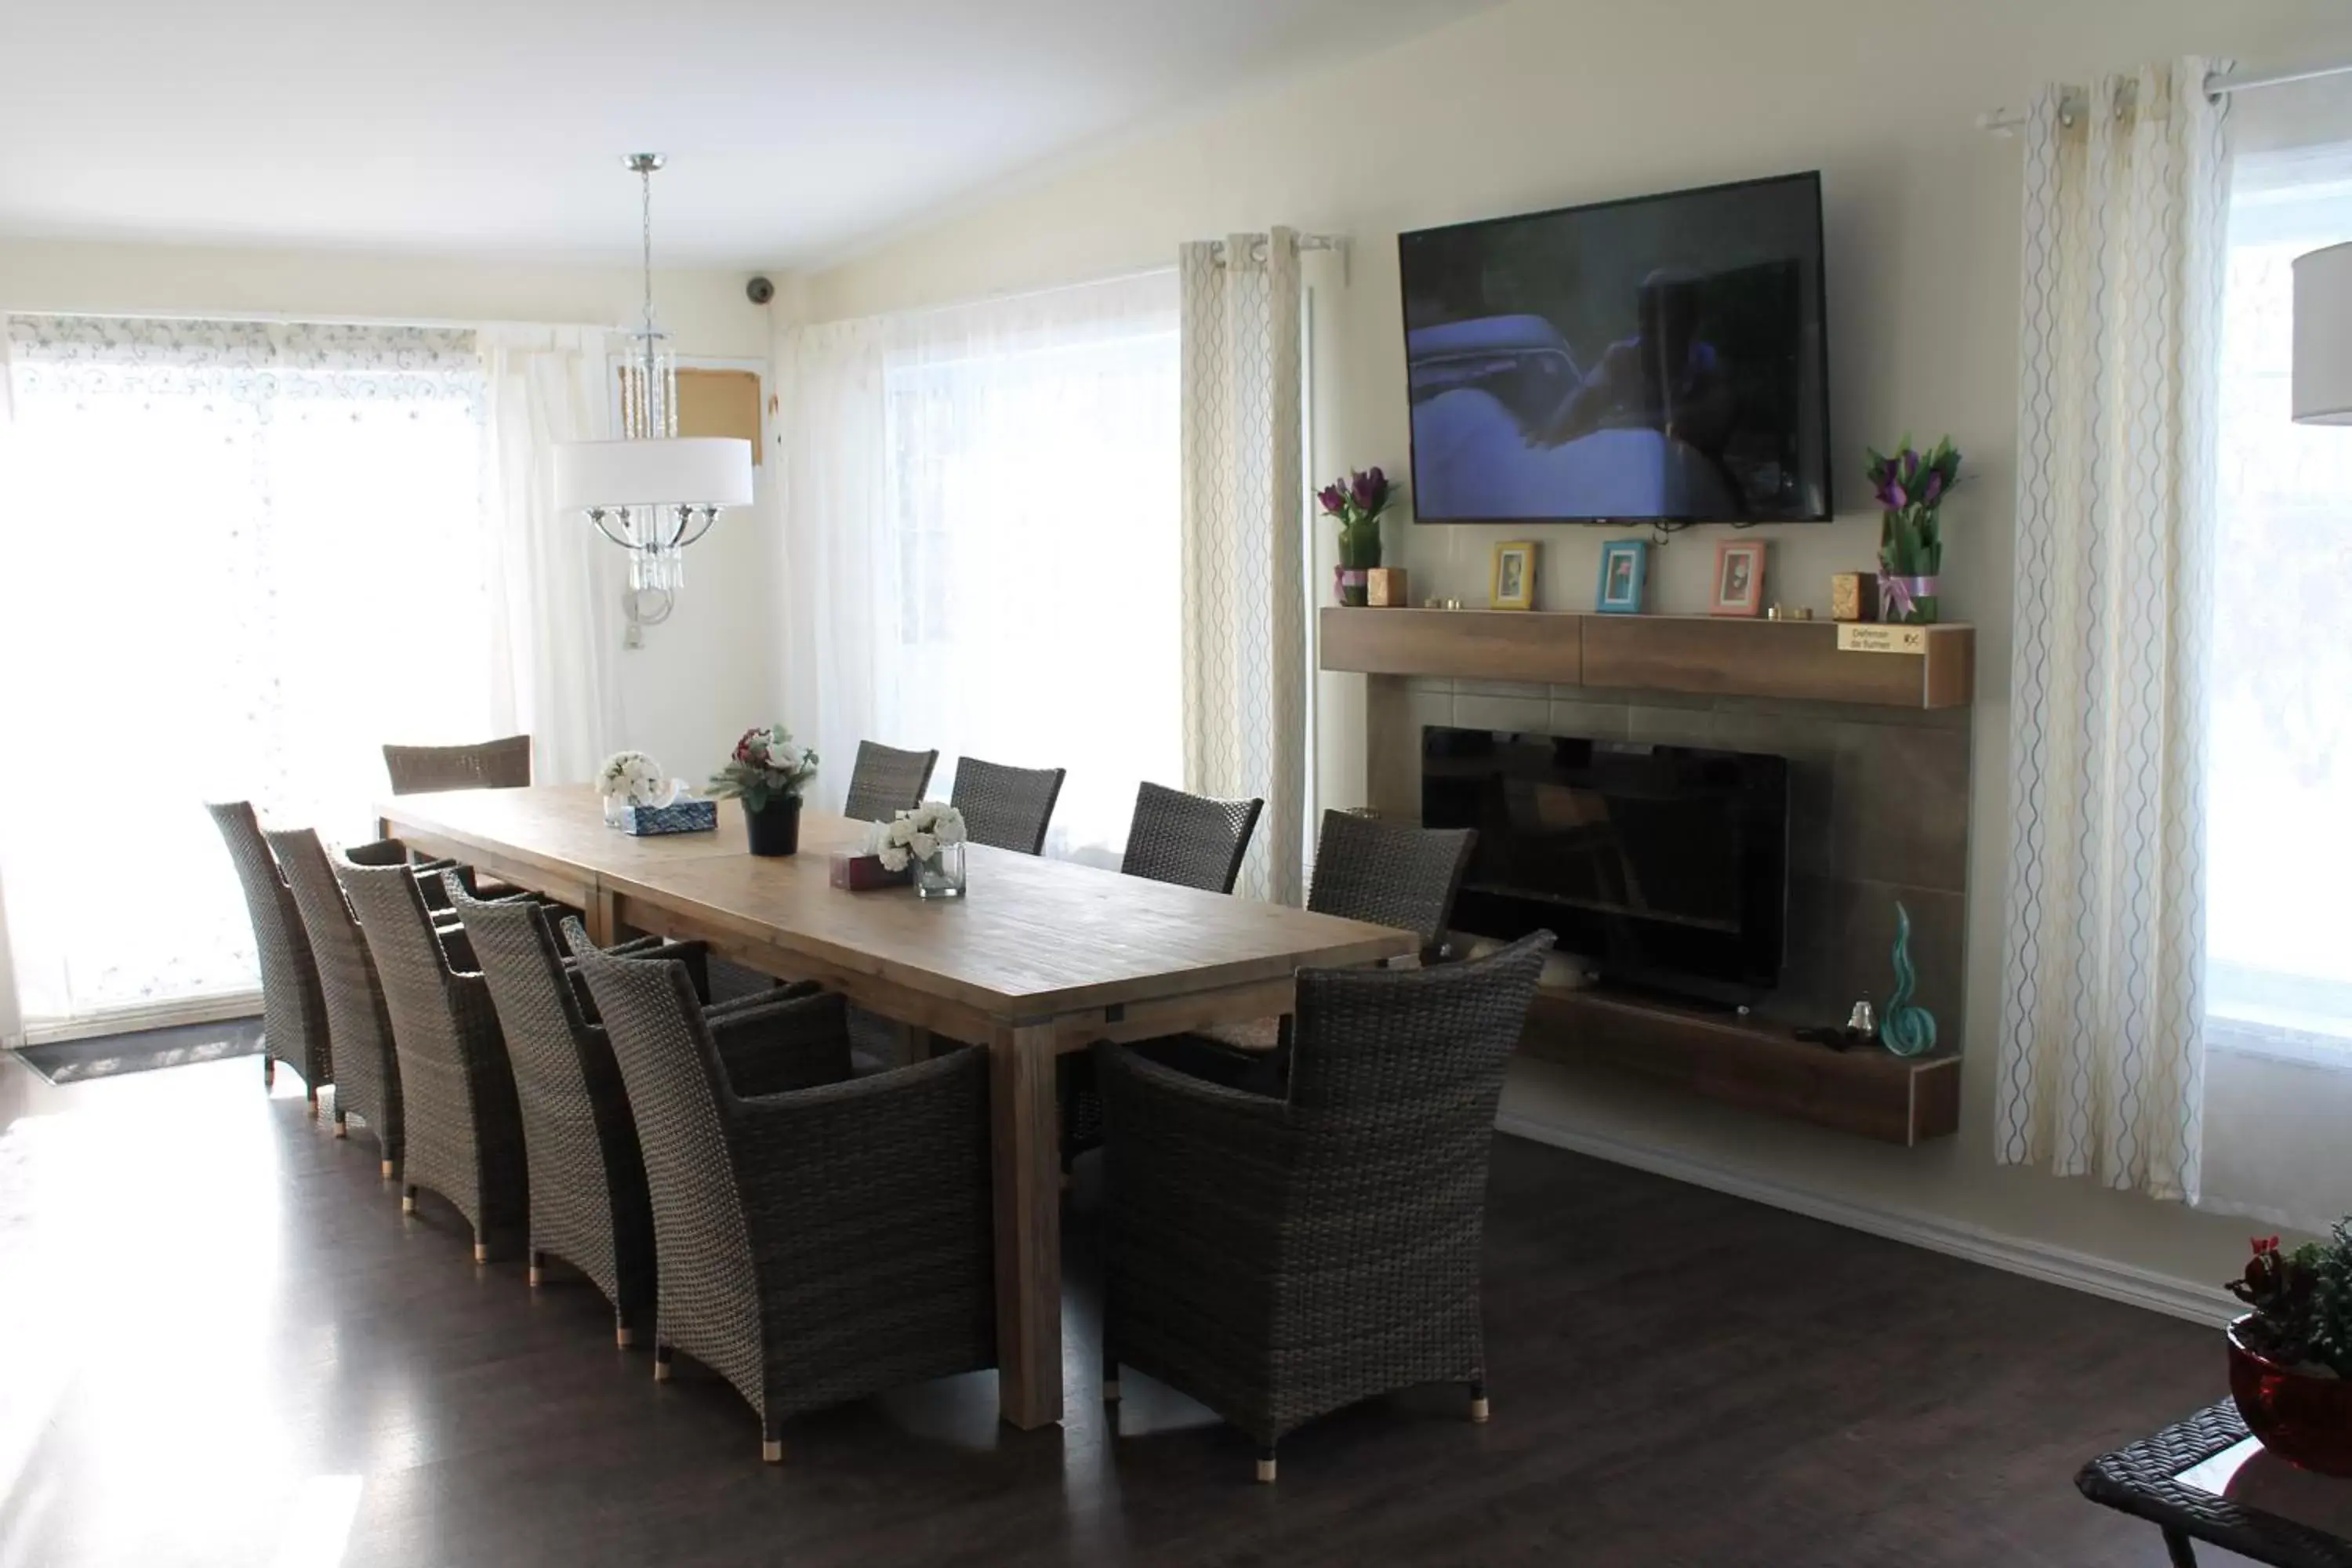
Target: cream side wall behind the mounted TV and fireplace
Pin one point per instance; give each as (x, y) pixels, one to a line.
(1549, 102)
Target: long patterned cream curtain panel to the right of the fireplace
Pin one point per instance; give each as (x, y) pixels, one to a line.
(2104, 946)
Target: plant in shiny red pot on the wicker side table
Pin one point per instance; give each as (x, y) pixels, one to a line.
(2292, 1358)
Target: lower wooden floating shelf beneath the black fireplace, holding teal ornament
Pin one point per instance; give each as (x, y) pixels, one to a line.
(1756, 1064)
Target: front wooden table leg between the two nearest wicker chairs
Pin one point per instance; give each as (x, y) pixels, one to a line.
(1029, 1226)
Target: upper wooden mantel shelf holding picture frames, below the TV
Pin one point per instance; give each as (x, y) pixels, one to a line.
(1692, 655)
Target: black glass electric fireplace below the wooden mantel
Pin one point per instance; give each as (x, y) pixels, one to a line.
(1664, 866)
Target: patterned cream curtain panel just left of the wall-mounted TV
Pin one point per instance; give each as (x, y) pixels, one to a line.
(1245, 638)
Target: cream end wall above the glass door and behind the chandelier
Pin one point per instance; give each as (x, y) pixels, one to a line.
(702, 678)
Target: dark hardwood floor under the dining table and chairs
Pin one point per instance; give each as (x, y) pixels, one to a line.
(225, 1346)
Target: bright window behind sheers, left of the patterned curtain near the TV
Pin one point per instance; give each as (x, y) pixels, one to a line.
(1036, 547)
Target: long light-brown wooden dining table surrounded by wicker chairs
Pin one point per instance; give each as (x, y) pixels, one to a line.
(1038, 960)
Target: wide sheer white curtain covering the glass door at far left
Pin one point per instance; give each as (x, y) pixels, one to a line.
(241, 558)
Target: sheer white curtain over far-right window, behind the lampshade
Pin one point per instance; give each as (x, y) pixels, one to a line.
(2280, 970)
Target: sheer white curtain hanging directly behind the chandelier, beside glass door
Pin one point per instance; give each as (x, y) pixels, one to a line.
(554, 582)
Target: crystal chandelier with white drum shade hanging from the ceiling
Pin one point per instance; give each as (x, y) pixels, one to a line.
(653, 492)
